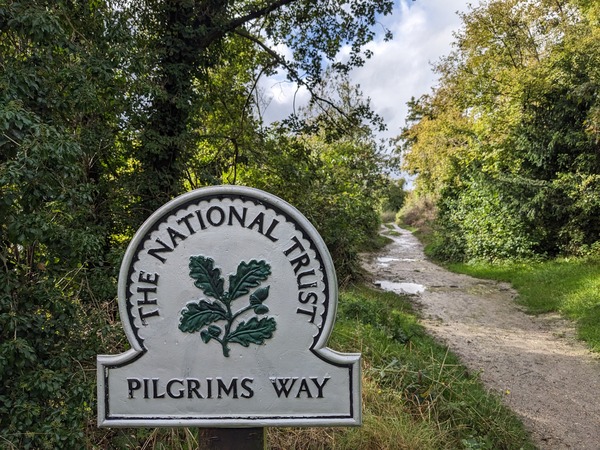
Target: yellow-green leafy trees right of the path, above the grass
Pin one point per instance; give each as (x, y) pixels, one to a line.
(510, 132)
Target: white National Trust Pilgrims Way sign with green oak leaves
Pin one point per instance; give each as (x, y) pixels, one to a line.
(228, 296)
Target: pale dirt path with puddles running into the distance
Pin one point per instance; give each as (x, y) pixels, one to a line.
(543, 373)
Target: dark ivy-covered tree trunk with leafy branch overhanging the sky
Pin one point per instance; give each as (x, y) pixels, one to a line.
(184, 41)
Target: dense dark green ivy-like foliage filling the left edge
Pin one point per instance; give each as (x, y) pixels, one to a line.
(58, 119)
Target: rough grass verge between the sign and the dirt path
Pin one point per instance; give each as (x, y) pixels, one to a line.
(416, 394)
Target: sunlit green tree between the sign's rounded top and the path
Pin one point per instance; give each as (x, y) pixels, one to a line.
(330, 168)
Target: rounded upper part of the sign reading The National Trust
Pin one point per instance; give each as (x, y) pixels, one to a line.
(223, 257)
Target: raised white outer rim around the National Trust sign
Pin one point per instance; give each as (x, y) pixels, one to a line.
(318, 348)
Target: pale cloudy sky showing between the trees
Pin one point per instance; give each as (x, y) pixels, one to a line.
(398, 70)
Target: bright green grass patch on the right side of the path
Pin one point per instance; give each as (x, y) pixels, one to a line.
(569, 286)
